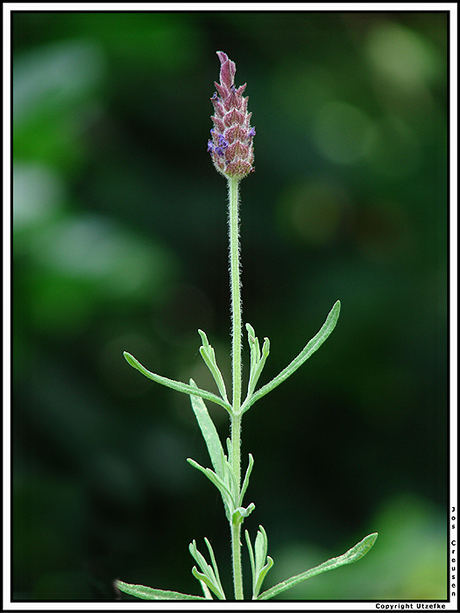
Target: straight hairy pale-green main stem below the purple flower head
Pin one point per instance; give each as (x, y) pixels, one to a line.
(235, 291)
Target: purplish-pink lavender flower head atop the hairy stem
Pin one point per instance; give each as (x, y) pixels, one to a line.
(231, 144)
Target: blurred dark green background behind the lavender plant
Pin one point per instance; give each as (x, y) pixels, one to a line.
(119, 243)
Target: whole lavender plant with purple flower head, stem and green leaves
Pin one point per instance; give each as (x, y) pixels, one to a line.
(231, 149)
